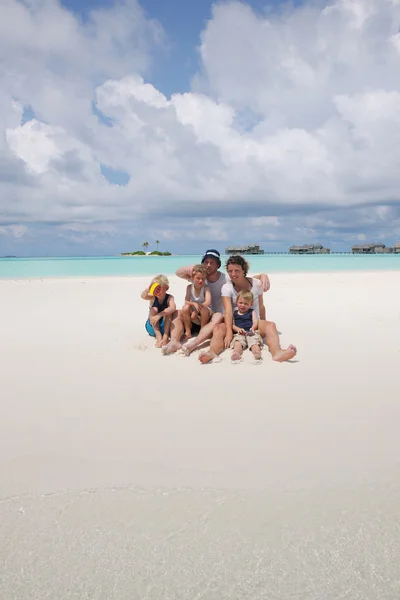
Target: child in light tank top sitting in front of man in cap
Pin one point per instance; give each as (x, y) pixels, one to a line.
(196, 311)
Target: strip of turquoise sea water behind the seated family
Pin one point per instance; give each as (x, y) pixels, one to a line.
(106, 266)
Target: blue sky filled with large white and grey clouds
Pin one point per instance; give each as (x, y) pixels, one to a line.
(199, 124)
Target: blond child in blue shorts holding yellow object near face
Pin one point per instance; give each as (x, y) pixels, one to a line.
(162, 308)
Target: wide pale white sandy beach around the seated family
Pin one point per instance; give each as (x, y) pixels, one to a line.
(127, 475)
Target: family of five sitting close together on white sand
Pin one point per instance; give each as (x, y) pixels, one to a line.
(227, 309)
